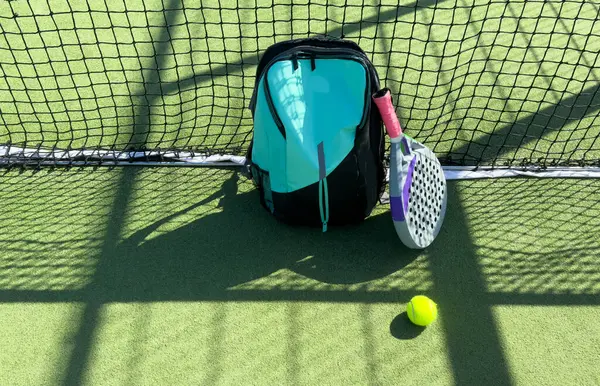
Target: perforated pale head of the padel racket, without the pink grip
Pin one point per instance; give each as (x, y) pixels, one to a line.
(424, 197)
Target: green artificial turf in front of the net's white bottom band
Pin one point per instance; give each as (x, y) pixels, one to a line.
(178, 276)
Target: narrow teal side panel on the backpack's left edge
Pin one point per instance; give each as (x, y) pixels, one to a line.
(269, 146)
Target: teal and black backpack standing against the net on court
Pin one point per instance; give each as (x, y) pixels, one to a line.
(318, 142)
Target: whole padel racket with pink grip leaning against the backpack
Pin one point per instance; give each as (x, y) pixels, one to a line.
(418, 192)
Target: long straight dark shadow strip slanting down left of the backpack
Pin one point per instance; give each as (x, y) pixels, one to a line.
(149, 98)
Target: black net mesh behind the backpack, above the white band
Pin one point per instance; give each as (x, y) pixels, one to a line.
(481, 82)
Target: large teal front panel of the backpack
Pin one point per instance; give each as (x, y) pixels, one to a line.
(325, 105)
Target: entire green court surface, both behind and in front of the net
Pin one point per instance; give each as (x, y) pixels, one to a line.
(177, 276)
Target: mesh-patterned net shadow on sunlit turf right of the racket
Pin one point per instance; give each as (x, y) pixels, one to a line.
(536, 238)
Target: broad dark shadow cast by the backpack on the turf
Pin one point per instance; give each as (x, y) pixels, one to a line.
(204, 259)
